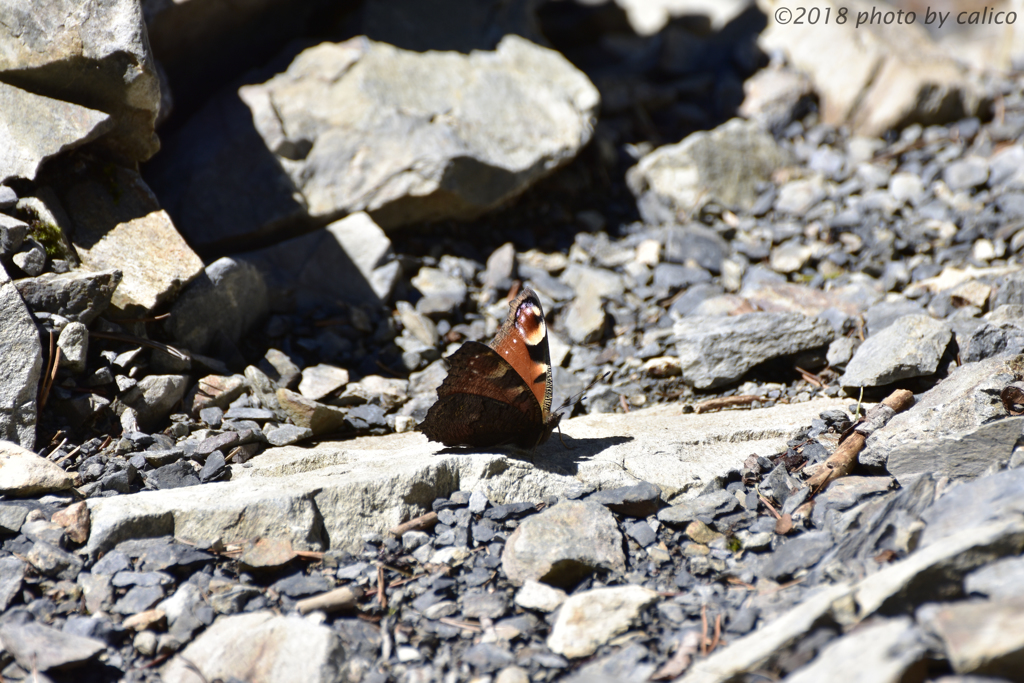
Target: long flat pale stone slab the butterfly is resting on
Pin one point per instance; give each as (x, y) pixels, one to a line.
(329, 496)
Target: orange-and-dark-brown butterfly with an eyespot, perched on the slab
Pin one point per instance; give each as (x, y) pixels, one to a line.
(499, 394)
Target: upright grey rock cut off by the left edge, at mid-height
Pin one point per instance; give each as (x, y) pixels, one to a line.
(21, 367)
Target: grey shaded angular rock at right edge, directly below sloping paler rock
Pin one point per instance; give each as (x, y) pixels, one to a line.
(967, 454)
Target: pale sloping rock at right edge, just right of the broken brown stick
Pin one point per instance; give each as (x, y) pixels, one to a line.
(966, 400)
